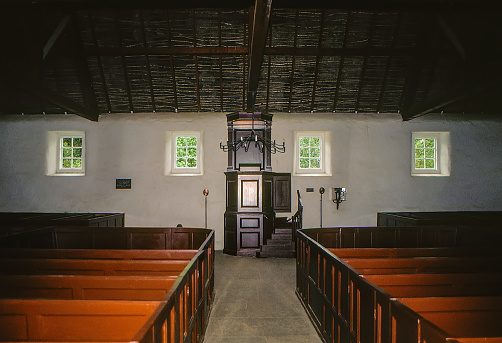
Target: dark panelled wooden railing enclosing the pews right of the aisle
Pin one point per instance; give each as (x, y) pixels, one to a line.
(346, 307)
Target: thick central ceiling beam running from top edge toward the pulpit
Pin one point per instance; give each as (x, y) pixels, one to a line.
(258, 37)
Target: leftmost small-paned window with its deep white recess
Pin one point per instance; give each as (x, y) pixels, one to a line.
(66, 153)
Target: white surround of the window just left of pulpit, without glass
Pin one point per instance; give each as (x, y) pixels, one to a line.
(171, 167)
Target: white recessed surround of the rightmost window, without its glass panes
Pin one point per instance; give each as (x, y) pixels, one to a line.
(442, 158)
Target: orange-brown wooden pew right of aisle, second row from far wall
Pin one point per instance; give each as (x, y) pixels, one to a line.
(425, 265)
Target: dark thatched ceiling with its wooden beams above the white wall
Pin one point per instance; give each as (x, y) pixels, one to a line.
(97, 57)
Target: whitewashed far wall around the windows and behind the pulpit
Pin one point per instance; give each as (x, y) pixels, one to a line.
(370, 157)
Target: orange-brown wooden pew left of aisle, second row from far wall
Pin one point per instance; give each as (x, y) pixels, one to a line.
(34, 266)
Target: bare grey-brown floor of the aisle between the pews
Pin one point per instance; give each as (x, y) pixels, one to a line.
(255, 301)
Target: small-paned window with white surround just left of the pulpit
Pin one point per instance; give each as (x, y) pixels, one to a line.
(183, 153)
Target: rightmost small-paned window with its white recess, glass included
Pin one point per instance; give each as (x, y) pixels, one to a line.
(430, 154)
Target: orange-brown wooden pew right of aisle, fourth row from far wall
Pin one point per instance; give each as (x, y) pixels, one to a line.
(461, 317)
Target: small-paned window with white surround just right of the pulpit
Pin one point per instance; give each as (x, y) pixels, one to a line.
(312, 153)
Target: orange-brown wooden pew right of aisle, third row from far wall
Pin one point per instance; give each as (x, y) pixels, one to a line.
(423, 285)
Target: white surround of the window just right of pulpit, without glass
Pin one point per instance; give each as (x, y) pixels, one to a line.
(325, 154)
